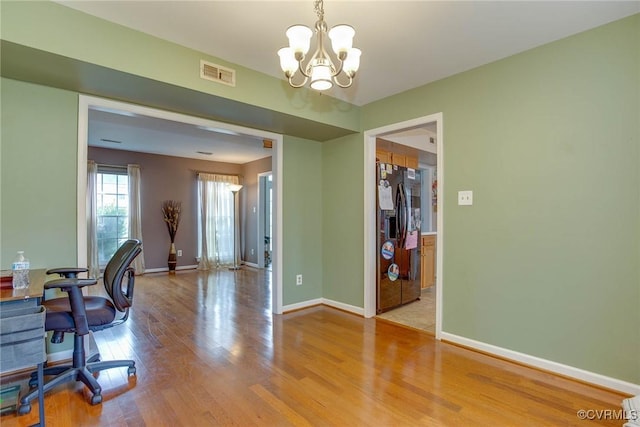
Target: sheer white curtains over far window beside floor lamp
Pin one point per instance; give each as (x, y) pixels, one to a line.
(217, 220)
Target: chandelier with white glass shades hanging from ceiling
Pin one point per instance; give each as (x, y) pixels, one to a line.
(320, 68)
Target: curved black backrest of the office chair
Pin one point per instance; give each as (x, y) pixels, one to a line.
(114, 274)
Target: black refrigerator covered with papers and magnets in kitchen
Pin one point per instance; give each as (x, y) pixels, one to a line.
(398, 222)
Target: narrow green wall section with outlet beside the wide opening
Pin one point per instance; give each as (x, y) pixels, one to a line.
(302, 218)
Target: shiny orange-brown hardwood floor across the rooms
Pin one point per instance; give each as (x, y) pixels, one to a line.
(209, 352)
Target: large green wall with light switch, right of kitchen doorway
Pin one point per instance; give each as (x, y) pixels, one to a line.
(546, 261)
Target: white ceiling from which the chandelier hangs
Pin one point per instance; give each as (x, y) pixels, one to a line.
(405, 44)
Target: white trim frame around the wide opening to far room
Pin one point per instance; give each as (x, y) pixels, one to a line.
(85, 103)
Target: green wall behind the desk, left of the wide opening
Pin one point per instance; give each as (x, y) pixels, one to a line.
(38, 177)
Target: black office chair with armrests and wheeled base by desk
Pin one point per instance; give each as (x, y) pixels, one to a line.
(80, 314)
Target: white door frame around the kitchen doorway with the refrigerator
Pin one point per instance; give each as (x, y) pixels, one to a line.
(370, 250)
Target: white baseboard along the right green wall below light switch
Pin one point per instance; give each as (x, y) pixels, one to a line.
(547, 365)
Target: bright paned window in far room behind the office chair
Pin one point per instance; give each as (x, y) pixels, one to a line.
(112, 202)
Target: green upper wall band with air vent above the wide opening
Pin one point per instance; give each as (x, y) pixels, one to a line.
(63, 31)
